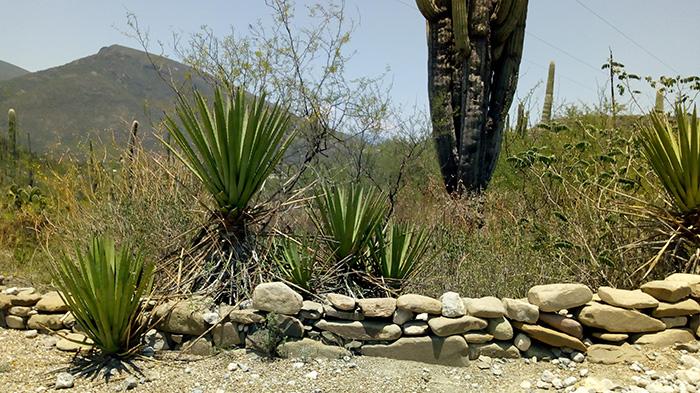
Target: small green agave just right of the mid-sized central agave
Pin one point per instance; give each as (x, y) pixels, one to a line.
(399, 249)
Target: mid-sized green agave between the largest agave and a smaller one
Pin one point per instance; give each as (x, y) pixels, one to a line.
(347, 217)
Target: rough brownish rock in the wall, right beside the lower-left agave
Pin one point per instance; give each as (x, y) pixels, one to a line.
(185, 317)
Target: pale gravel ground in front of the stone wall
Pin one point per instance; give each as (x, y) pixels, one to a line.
(29, 365)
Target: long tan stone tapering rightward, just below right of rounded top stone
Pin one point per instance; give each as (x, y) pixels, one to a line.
(618, 320)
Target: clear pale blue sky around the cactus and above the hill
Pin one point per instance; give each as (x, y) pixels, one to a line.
(650, 37)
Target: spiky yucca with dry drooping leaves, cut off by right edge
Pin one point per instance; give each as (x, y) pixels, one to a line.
(673, 153)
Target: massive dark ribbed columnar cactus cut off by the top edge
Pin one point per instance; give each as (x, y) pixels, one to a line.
(474, 52)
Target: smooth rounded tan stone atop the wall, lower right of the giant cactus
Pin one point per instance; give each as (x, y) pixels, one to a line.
(555, 297)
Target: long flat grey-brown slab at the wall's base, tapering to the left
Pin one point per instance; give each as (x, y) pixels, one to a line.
(448, 351)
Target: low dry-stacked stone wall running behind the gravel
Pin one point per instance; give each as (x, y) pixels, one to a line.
(554, 320)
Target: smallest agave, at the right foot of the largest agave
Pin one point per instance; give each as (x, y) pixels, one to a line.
(294, 262)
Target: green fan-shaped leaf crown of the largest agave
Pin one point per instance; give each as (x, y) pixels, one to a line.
(232, 147)
